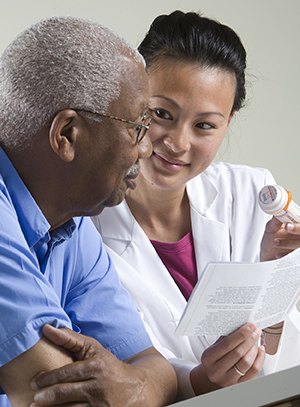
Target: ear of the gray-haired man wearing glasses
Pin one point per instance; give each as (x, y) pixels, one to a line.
(63, 133)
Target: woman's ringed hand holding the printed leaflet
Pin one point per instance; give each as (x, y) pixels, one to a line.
(232, 359)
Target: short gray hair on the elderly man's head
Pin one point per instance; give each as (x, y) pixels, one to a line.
(58, 63)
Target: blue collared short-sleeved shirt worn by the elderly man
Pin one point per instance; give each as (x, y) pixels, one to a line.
(64, 278)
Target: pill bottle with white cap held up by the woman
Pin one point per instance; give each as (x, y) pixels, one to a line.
(277, 201)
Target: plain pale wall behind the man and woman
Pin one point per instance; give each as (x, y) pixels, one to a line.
(265, 133)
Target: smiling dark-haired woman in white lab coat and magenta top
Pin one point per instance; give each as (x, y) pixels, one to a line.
(187, 211)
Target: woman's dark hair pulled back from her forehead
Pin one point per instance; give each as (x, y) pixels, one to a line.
(188, 37)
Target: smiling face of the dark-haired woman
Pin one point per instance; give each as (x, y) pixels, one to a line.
(191, 110)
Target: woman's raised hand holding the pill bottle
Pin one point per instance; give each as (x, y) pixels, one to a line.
(279, 240)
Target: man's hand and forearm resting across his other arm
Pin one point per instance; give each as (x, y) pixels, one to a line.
(97, 378)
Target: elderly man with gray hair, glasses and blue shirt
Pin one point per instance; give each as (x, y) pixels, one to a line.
(73, 122)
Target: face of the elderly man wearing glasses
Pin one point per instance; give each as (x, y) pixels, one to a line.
(111, 154)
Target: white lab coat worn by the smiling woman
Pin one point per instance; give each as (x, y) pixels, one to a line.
(227, 225)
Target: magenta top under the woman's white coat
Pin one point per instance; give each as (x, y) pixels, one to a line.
(179, 258)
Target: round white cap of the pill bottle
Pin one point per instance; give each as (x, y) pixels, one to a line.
(272, 199)
